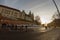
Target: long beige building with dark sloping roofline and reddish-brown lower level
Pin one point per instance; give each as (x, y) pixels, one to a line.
(13, 17)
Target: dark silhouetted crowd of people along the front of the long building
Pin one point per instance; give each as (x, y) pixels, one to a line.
(13, 27)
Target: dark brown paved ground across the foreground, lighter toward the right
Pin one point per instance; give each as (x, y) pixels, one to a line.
(49, 35)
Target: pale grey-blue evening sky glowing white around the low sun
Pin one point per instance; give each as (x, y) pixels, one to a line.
(43, 8)
